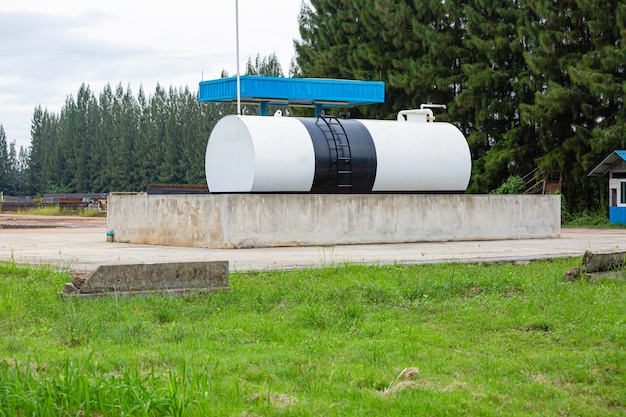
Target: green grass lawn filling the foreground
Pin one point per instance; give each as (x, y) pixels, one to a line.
(480, 340)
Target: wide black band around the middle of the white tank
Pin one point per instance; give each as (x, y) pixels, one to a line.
(355, 174)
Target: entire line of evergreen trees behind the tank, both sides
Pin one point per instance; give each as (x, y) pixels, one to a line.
(532, 84)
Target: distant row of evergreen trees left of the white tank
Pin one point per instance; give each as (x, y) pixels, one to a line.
(116, 141)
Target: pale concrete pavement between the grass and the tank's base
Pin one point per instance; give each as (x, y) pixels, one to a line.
(84, 247)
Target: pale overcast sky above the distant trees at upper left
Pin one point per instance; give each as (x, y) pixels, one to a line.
(48, 48)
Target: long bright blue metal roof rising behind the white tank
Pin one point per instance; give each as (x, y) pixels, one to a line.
(293, 91)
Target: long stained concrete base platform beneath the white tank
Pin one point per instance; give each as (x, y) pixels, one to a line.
(227, 221)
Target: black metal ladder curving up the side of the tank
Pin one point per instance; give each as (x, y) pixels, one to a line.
(340, 152)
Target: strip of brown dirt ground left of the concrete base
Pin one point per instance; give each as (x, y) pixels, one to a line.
(22, 221)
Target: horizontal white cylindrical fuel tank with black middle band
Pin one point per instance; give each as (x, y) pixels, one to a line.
(257, 154)
